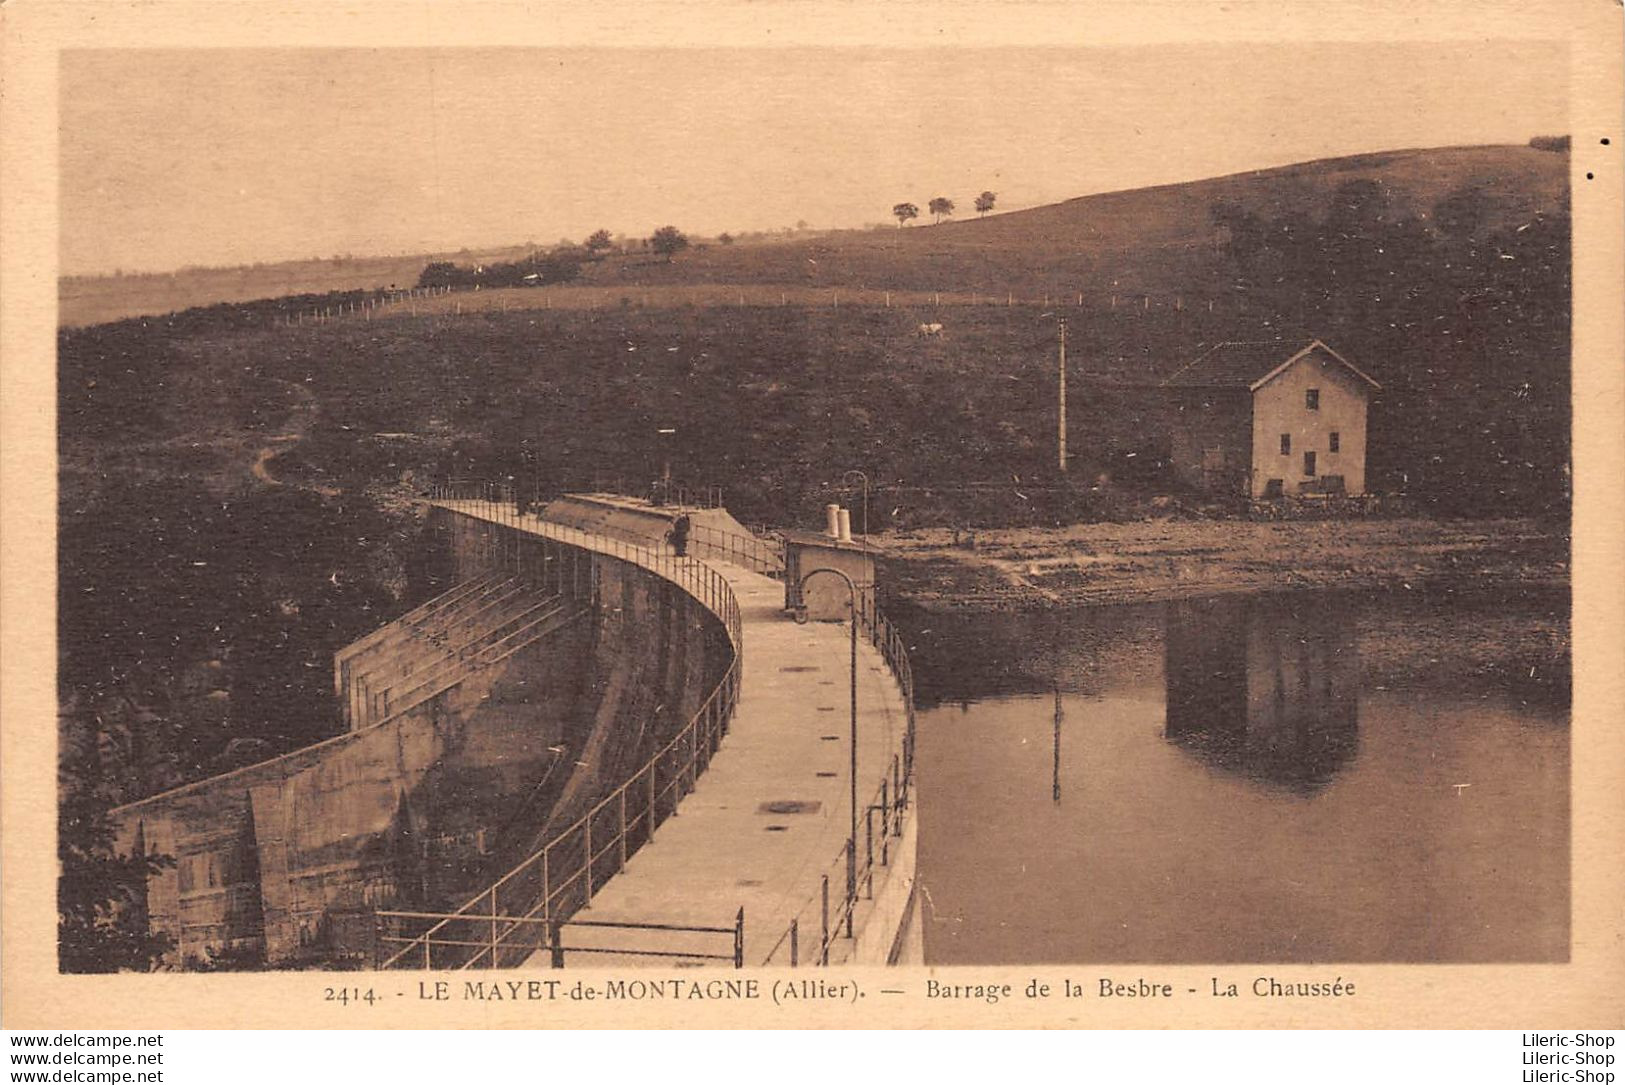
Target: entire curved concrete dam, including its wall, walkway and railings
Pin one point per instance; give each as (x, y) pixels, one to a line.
(521, 750)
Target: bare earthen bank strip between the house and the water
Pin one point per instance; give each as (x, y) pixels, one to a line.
(1088, 564)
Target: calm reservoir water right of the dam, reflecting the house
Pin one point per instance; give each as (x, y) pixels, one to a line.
(1309, 777)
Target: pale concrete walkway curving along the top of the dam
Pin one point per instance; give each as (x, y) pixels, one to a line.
(769, 818)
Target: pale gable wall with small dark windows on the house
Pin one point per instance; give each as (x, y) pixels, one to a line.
(1281, 408)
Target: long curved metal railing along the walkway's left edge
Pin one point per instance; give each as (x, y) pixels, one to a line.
(558, 880)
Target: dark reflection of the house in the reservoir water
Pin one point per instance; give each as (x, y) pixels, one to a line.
(1265, 686)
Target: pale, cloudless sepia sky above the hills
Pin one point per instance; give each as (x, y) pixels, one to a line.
(225, 157)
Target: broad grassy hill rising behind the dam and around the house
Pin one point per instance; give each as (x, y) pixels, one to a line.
(1444, 272)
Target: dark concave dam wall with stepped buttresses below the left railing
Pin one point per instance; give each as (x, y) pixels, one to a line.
(459, 758)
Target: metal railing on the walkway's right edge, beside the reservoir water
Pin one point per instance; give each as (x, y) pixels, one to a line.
(883, 821)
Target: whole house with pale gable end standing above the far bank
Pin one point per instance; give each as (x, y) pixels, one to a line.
(1270, 418)
